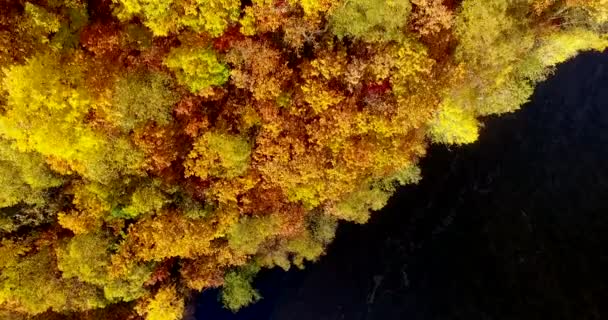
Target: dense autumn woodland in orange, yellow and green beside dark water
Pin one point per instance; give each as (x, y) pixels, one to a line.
(150, 149)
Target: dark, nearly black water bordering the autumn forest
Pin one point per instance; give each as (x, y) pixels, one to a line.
(512, 227)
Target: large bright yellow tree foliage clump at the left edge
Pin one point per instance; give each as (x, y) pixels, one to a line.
(46, 110)
